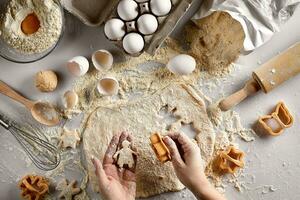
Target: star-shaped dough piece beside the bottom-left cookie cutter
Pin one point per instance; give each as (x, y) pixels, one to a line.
(68, 190)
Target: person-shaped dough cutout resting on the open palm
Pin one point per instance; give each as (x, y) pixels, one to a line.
(125, 155)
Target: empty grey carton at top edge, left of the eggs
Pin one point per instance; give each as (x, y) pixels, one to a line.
(90, 12)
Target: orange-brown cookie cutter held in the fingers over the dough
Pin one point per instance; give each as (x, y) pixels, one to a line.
(161, 150)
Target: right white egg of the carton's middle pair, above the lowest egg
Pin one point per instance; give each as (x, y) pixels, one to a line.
(147, 24)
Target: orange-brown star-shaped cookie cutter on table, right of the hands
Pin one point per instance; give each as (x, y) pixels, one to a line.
(230, 160)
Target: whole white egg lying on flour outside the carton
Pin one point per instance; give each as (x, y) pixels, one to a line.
(182, 64)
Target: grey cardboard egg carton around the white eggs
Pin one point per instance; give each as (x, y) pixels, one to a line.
(166, 24)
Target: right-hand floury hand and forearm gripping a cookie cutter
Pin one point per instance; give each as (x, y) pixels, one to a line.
(187, 163)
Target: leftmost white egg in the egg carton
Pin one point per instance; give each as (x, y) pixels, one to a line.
(114, 29)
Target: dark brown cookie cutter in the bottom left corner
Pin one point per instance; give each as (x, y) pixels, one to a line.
(33, 187)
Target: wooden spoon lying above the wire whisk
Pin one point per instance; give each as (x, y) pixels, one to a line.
(42, 112)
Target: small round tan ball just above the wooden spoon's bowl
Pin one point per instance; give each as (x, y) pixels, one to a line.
(46, 81)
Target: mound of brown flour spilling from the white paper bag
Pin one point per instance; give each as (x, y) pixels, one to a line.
(215, 41)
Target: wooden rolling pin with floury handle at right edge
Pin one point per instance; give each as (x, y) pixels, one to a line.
(268, 76)
